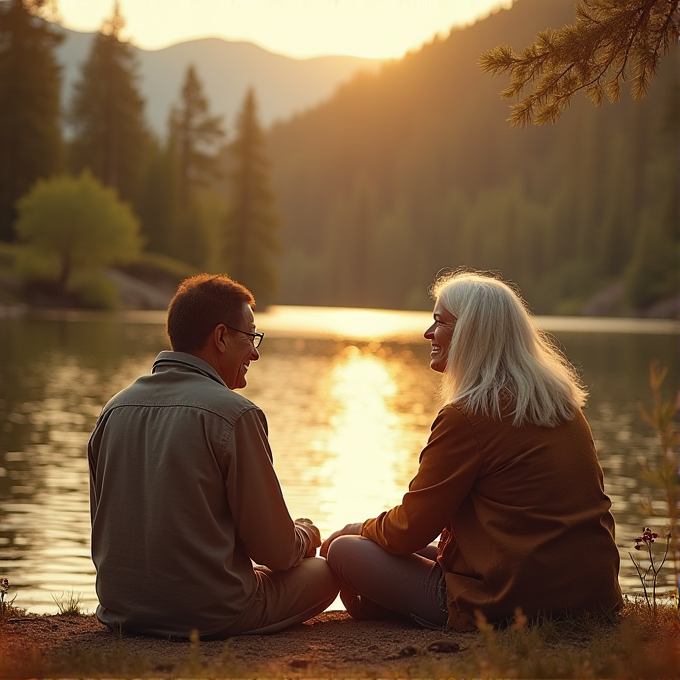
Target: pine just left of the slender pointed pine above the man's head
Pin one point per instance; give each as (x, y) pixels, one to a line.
(194, 139)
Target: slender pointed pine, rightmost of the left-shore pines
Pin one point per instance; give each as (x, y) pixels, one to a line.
(251, 224)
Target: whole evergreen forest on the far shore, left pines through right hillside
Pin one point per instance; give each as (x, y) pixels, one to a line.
(363, 199)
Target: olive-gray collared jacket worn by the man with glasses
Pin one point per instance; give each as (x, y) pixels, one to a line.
(184, 498)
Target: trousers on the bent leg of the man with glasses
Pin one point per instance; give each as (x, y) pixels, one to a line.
(284, 598)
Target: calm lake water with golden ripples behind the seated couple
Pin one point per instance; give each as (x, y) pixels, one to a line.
(348, 396)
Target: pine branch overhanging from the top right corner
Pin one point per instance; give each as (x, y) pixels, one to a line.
(610, 43)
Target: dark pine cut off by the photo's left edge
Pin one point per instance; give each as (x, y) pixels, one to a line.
(30, 137)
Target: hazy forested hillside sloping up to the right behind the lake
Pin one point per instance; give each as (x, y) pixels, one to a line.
(415, 169)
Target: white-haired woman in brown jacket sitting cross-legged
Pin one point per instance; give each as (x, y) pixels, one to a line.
(509, 480)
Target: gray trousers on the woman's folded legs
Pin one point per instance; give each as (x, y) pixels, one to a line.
(375, 584)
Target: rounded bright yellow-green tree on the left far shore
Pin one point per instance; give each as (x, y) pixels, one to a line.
(74, 224)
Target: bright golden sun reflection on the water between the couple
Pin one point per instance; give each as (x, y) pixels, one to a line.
(365, 451)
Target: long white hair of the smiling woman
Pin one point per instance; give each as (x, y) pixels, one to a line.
(497, 352)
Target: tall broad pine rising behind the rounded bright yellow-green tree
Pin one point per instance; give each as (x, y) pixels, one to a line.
(107, 113)
